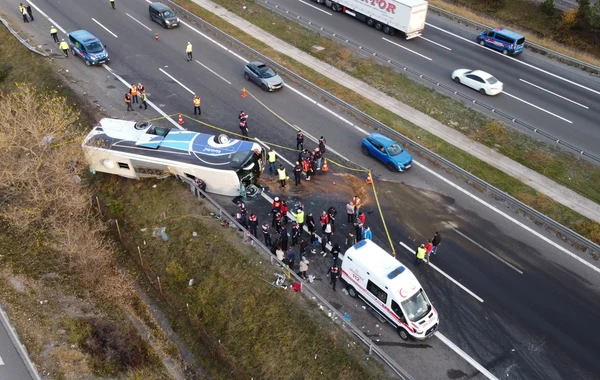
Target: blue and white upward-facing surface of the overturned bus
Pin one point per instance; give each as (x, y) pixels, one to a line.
(145, 139)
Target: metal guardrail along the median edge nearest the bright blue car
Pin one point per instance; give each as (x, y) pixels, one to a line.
(582, 243)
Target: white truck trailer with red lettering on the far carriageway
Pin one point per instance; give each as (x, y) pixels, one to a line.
(388, 16)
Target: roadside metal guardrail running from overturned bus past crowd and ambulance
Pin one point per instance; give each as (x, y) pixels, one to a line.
(335, 315)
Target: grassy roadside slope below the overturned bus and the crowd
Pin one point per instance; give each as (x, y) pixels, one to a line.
(237, 324)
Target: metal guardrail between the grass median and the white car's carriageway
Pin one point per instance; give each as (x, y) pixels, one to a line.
(555, 140)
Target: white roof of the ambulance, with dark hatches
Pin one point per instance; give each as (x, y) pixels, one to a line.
(384, 268)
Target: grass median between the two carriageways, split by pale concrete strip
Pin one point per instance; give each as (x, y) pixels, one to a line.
(560, 166)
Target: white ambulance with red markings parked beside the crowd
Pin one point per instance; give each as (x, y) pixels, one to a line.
(390, 289)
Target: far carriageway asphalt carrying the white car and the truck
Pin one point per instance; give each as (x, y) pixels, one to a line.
(544, 93)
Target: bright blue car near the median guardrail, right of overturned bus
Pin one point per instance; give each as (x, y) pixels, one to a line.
(387, 151)
